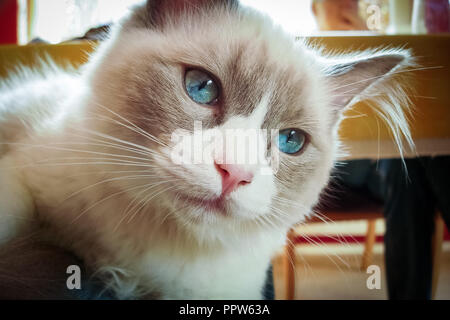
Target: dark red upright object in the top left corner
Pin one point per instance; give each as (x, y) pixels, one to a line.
(8, 21)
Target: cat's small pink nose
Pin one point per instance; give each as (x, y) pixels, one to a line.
(233, 176)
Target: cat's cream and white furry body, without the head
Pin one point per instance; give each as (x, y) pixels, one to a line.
(178, 267)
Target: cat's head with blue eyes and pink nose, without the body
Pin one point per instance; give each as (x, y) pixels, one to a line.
(220, 69)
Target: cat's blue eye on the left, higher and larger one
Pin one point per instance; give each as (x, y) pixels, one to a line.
(201, 87)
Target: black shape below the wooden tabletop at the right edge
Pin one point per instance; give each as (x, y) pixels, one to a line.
(411, 190)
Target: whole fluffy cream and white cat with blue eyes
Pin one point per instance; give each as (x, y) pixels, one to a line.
(88, 156)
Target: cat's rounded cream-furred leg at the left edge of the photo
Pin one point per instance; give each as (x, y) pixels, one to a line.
(16, 203)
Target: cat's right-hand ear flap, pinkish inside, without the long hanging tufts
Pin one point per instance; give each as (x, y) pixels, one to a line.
(364, 75)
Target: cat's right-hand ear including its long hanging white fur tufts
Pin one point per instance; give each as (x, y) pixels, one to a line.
(379, 78)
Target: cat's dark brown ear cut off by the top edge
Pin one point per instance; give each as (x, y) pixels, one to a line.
(162, 11)
